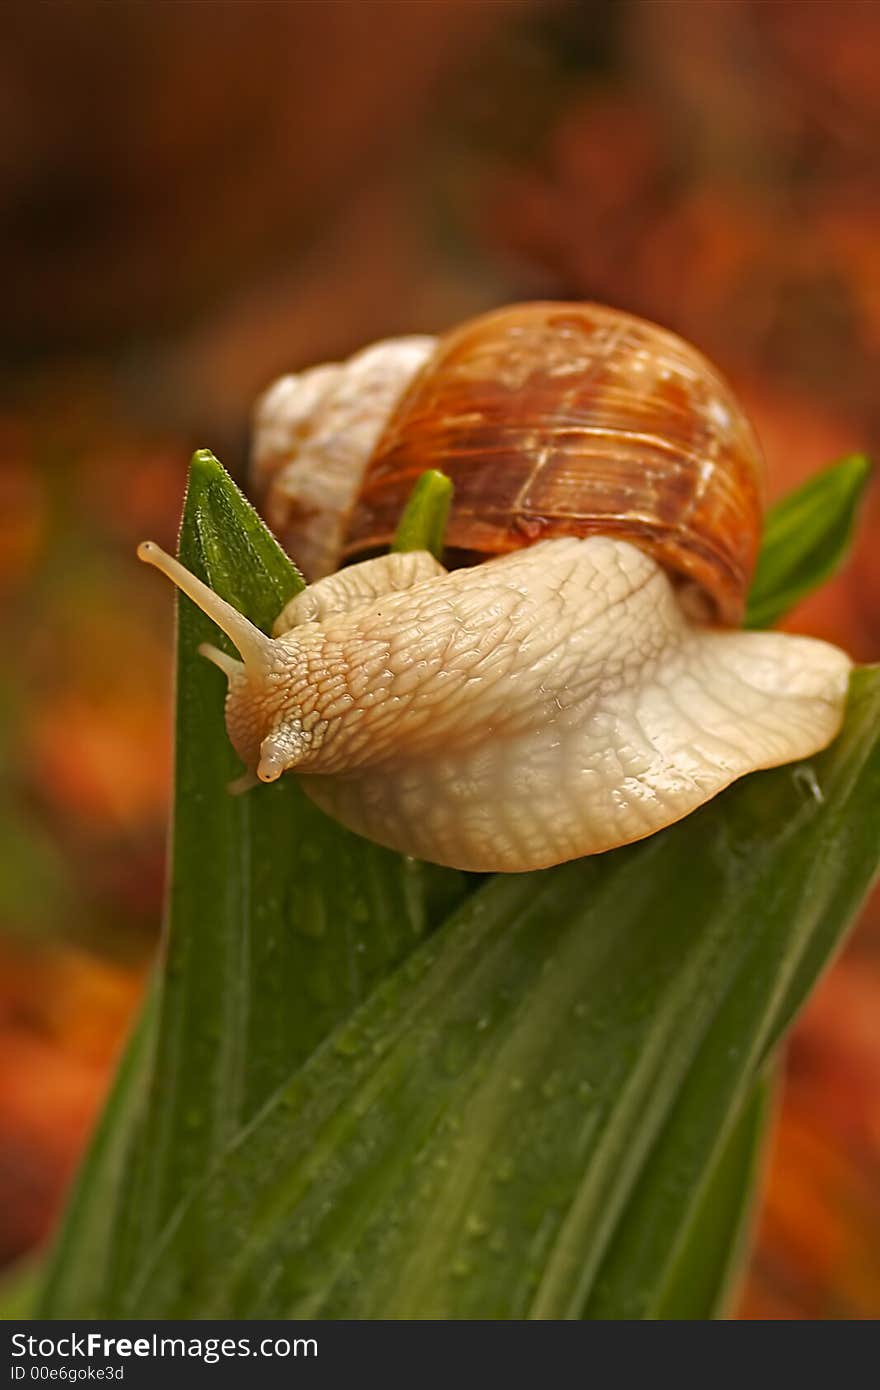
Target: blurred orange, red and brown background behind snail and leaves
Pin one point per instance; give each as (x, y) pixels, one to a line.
(199, 197)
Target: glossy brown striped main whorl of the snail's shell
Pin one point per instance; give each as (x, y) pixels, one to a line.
(557, 419)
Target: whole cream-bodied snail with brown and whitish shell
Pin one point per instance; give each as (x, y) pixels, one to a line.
(572, 679)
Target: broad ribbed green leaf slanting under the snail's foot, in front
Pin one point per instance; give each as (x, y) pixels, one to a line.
(519, 1121)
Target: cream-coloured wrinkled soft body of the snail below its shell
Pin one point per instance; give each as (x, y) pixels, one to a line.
(541, 707)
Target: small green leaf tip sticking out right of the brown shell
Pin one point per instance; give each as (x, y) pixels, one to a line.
(807, 539)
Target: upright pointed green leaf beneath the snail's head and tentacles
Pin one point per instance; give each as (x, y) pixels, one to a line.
(279, 921)
